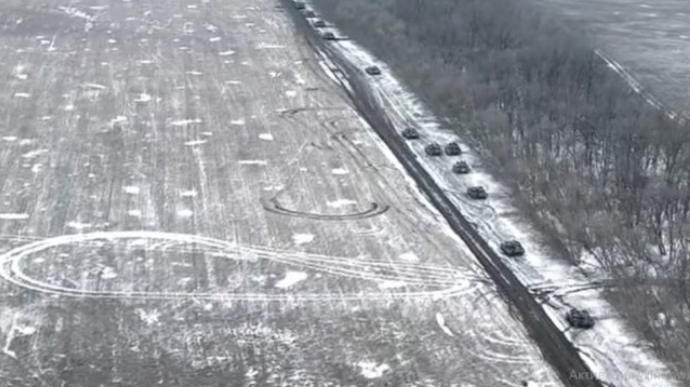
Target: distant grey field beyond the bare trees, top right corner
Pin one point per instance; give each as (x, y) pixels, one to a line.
(651, 39)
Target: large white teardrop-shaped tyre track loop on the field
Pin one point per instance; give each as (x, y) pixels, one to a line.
(431, 281)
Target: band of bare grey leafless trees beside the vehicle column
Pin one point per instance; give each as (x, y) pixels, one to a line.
(595, 164)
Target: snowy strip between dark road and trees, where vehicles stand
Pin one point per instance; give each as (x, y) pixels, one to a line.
(611, 349)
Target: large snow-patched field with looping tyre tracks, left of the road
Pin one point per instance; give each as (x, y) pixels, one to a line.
(188, 200)
